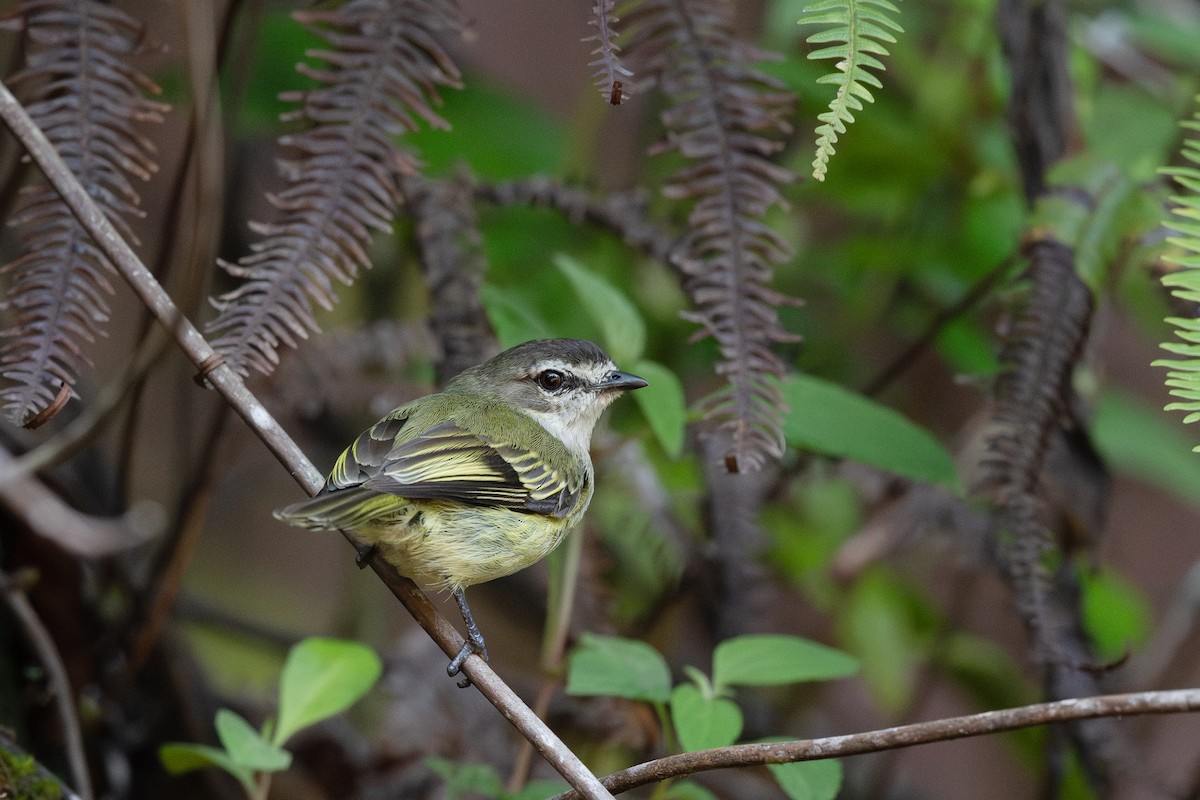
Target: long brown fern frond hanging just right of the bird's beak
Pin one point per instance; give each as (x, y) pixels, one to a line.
(723, 116)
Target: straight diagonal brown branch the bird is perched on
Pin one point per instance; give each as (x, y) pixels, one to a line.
(229, 384)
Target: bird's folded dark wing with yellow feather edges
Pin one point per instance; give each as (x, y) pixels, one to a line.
(451, 464)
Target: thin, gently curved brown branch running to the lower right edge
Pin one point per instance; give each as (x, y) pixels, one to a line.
(908, 736)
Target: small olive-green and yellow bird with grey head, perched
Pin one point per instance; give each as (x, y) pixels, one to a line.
(479, 480)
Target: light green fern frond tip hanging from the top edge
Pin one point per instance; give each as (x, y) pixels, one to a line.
(861, 28)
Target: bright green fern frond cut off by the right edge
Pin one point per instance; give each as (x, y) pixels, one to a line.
(1184, 376)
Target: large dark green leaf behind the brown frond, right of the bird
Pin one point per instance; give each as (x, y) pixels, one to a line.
(827, 419)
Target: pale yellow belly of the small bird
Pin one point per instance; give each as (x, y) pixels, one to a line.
(449, 546)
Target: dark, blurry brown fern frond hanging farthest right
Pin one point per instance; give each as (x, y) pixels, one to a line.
(1033, 399)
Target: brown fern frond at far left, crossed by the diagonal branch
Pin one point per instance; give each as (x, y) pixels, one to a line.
(87, 100)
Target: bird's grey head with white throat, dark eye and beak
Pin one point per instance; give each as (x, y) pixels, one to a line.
(563, 384)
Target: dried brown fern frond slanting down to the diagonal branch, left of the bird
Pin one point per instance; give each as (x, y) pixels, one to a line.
(383, 74)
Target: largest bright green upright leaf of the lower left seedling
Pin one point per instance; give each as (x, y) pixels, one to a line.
(323, 677)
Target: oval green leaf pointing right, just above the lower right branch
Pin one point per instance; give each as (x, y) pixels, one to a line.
(775, 660)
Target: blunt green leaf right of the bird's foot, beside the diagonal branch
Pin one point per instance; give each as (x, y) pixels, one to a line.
(610, 665)
